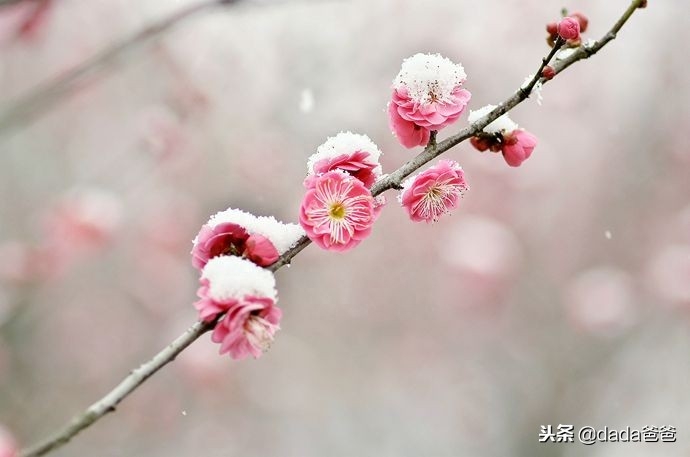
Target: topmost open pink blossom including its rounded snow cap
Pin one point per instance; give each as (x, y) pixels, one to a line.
(427, 95)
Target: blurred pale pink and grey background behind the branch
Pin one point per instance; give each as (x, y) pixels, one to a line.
(558, 293)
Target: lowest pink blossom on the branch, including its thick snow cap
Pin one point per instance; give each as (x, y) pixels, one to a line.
(247, 294)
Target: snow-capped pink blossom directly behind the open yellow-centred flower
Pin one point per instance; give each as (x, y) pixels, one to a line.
(352, 153)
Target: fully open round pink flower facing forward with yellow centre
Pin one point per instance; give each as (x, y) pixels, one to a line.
(337, 211)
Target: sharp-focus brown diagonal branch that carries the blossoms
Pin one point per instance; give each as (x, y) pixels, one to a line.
(109, 402)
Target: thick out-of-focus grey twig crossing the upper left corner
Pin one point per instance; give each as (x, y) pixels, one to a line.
(48, 94)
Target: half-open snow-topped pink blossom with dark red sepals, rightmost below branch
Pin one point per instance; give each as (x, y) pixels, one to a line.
(503, 135)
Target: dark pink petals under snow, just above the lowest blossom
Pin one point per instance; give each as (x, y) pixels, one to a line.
(230, 239)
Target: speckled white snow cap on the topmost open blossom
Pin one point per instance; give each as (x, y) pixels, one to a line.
(429, 78)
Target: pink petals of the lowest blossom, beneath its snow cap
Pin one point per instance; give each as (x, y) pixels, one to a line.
(248, 328)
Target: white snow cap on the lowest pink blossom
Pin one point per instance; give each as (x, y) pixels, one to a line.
(235, 277)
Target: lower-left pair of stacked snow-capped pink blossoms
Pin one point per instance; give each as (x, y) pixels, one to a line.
(230, 250)
